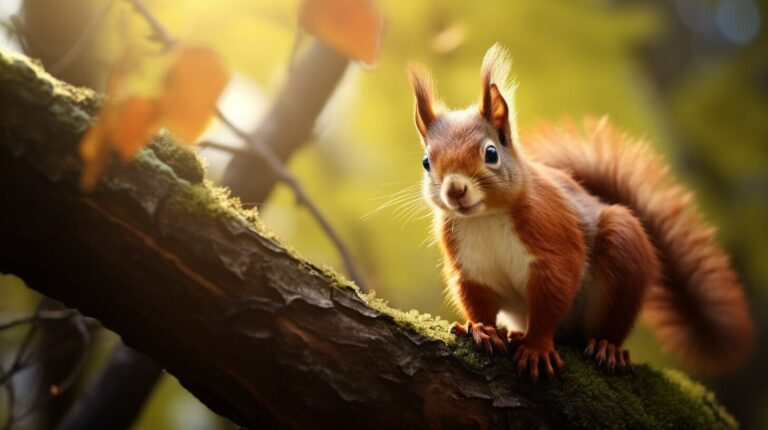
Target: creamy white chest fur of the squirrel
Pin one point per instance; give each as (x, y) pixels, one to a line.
(491, 253)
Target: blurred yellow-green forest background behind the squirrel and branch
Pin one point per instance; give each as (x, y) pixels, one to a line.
(690, 76)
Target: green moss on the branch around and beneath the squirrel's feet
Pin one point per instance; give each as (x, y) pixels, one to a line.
(585, 396)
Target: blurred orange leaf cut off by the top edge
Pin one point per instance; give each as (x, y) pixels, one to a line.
(351, 26)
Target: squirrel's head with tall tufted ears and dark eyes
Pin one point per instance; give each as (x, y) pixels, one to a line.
(472, 164)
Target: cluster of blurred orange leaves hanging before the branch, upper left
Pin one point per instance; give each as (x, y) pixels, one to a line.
(191, 88)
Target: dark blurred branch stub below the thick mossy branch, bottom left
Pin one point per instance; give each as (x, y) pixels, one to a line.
(116, 398)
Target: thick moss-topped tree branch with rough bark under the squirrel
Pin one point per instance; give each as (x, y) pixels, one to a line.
(260, 335)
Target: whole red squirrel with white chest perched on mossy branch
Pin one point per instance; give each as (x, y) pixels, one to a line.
(570, 235)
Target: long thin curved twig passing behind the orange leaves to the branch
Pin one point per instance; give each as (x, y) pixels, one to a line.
(264, 152)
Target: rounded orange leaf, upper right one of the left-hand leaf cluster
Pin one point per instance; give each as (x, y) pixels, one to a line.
(193, 84)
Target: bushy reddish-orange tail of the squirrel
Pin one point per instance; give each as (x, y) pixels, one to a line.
(699, 310)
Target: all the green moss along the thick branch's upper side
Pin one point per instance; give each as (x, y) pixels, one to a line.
(582, 396)
